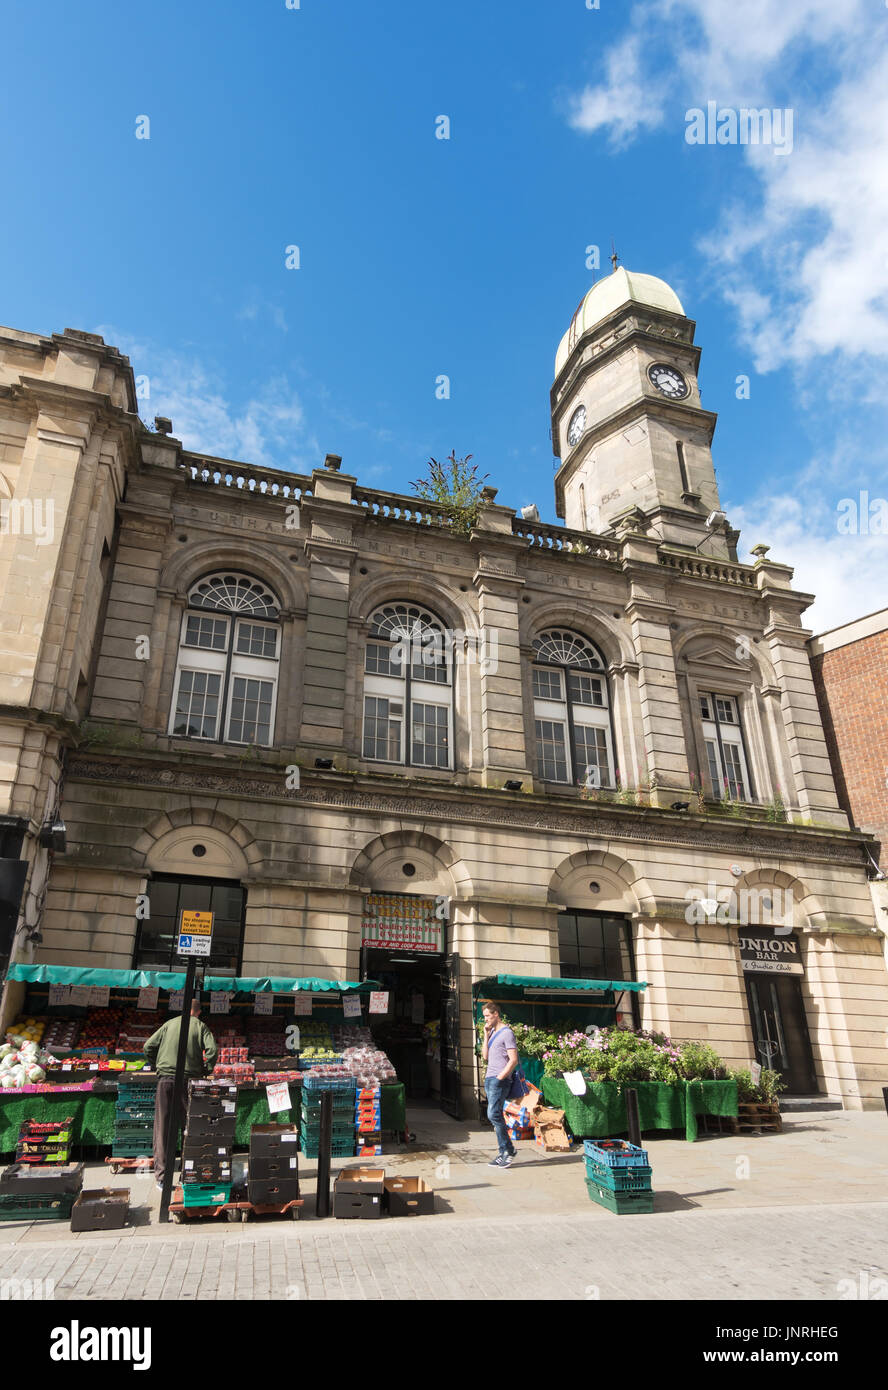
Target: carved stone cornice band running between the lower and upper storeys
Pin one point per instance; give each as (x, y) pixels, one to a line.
(468, 806)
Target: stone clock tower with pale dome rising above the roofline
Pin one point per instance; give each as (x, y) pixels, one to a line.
(627, 423)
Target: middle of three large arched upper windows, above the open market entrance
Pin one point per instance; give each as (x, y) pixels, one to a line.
(408, 689)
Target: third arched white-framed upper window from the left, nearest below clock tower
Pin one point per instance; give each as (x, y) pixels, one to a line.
(572, 711)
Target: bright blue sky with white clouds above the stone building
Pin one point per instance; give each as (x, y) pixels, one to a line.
(316, 127)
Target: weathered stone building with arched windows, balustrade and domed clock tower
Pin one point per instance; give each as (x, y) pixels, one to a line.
(611, 757)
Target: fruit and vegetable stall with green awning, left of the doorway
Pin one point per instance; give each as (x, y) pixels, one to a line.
(266, 1029)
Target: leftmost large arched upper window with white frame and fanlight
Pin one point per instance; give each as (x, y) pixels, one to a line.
(227, 671)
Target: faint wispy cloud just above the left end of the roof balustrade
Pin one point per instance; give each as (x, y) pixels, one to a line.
(269, 429)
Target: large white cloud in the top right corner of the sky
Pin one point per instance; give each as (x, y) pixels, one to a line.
(805, 261)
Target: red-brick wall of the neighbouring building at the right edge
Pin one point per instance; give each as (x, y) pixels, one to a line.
(853, 690)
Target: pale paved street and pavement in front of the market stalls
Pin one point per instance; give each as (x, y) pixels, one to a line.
(794, 1216)
